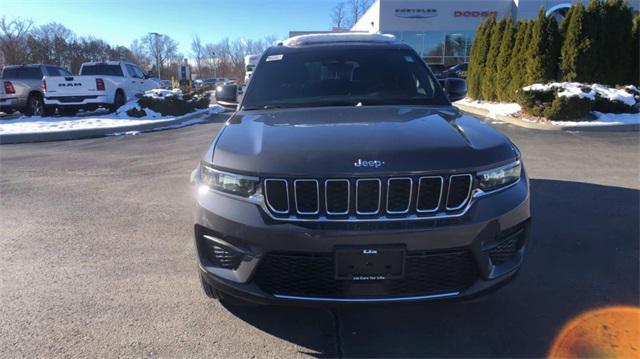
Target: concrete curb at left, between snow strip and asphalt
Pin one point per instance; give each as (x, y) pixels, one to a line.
(101, 132)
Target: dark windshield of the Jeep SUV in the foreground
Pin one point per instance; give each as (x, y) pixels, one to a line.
(342, 77)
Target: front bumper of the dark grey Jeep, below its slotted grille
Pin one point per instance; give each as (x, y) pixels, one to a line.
(492, 235)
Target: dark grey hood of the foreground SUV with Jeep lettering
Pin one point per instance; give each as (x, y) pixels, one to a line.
(327, 141)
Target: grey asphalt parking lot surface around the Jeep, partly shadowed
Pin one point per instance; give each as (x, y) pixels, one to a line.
(97, 259)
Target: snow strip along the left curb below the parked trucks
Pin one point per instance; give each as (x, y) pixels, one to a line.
(119, 119)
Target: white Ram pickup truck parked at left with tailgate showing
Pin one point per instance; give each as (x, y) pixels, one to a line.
(100, 84)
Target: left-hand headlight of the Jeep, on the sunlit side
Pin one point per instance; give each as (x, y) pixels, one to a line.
(239, 185)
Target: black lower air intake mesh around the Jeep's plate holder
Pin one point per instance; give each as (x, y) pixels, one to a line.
(426, 273)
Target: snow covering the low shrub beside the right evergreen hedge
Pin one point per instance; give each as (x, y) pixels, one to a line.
(571, 89)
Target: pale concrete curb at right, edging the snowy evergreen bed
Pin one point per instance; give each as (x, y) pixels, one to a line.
(547, 127)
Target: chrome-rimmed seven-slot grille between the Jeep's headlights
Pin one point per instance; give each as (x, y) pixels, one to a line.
(342, 198)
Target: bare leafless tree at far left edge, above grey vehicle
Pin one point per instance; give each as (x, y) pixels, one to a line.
(13, 39)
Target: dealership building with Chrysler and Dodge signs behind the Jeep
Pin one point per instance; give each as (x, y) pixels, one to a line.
(442, 31)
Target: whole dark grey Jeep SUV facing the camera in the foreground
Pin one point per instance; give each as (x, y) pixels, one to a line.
(346, 175)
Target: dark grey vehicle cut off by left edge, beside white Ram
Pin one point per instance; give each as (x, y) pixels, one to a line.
(22, 88)
